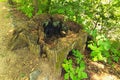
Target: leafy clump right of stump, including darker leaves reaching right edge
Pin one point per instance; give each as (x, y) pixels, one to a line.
(103, 50)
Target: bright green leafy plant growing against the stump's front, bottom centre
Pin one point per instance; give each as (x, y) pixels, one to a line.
(75, 72)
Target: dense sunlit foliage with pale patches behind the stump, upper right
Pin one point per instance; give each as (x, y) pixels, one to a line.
(98, 14)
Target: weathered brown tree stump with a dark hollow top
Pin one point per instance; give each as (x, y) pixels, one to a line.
(55, 42)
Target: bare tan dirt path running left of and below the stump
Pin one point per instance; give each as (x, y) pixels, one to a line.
(18, 64)
